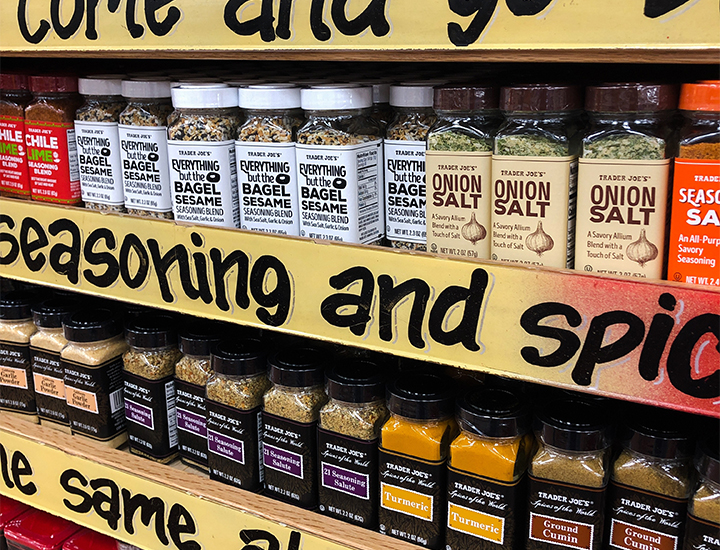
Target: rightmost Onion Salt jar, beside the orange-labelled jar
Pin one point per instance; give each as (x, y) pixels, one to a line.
(623, 179)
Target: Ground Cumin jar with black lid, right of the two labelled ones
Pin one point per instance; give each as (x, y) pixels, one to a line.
(651, 482)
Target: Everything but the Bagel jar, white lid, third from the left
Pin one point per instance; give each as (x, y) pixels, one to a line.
(201, 149)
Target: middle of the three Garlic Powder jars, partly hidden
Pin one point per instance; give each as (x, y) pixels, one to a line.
(48, 373)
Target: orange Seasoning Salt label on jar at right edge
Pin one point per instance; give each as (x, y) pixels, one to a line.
(694, 245)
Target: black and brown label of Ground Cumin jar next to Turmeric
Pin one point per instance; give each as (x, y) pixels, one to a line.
(564, 515)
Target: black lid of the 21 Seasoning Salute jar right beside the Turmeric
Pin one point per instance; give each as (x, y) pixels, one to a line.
(356, 381)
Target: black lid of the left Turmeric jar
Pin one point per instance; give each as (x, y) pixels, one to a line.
(420, 396)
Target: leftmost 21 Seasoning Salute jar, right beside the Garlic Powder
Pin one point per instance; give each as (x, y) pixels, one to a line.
(148, 372)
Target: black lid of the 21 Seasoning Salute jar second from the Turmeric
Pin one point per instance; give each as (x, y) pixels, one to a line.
(297, 367)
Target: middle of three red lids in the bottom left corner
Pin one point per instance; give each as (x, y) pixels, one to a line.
(37, 530)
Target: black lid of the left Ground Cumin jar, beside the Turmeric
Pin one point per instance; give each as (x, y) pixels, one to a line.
(573, 425)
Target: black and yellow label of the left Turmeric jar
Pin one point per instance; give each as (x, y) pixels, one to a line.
(412, 499)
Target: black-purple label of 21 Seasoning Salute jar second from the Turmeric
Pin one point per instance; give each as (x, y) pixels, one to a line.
(289, 455)
